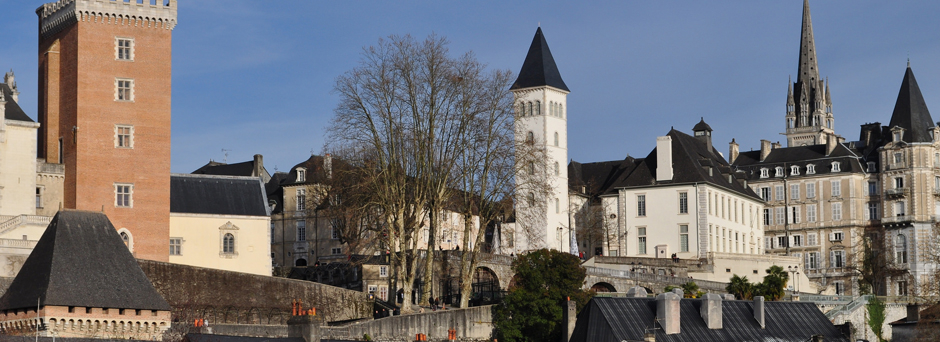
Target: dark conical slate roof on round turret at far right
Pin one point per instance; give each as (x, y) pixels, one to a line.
(910, 111)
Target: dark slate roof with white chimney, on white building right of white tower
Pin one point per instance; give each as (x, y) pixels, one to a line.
(691, 160)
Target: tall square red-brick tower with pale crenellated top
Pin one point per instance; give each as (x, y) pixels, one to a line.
(104, 110)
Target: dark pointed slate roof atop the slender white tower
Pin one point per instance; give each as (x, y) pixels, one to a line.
(539, 68)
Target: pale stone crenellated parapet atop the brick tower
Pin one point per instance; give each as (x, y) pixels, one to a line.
(158, 14)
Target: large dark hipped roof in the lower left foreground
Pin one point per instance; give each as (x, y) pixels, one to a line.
(81, 260)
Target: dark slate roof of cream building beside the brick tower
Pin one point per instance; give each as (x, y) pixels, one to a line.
(218, 195)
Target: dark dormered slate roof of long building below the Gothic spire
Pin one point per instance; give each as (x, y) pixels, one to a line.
(849, 160)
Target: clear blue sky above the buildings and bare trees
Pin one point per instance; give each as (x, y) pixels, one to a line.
(256, 76)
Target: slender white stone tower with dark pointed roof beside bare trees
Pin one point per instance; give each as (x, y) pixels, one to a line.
(541, 109)
